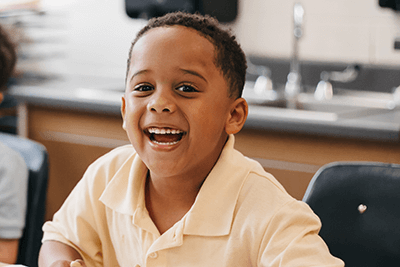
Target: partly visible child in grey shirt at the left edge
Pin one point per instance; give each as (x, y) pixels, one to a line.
(13, 170)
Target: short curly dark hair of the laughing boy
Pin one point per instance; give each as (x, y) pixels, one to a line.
(230, 58)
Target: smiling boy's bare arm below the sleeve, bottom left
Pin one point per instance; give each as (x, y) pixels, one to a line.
(57, 254)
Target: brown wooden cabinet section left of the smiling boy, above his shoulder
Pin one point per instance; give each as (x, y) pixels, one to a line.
(74, 139)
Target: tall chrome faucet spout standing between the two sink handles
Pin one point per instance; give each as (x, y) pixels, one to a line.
(293, 83)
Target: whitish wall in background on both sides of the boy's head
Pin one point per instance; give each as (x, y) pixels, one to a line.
(98, 33)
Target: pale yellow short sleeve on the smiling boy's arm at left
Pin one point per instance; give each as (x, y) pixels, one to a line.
(76, 222)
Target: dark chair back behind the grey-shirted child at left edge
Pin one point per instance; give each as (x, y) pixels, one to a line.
(36, 158)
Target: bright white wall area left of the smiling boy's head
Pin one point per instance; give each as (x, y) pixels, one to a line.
(96, 36)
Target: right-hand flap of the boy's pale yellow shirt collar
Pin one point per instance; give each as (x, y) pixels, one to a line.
(213, 210)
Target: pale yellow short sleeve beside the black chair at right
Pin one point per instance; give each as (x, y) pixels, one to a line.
(292, 239)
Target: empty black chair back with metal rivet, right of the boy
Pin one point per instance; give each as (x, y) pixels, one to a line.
(359, 207)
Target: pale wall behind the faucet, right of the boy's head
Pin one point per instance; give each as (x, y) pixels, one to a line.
(339, 30)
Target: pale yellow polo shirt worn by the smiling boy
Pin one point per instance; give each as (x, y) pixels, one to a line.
(241, 217)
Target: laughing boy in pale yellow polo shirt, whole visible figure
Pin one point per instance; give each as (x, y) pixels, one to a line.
(181, 195)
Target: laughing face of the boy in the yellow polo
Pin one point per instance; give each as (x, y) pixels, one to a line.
(176, 103)
